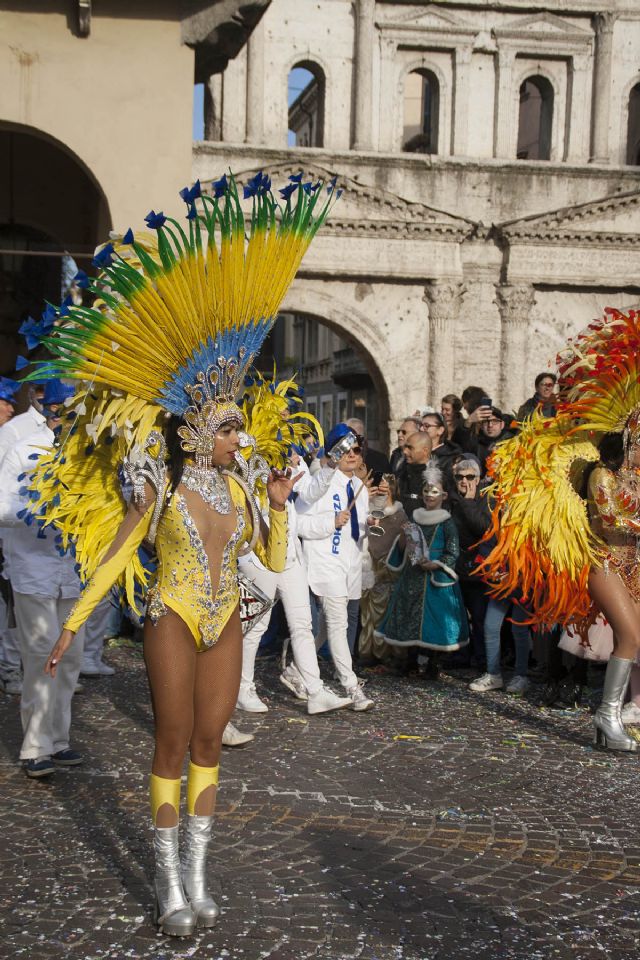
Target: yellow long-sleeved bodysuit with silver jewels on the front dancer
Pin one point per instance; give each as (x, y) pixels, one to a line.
(197, 582)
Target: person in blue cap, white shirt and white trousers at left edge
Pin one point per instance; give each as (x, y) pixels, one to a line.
(45, 588)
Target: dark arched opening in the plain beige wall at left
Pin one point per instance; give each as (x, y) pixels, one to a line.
(51, 206)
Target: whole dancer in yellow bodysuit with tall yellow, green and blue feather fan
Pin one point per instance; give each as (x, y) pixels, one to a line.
(178, 319)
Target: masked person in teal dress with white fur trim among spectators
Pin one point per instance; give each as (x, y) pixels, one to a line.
(426, 608)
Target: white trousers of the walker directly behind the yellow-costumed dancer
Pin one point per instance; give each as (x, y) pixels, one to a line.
(292, 588)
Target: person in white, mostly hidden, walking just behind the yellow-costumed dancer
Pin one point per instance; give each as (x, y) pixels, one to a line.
(292, 588)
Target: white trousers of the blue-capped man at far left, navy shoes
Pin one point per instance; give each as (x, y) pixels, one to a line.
(45, 708)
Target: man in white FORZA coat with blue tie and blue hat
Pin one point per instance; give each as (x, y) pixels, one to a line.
(333, 531)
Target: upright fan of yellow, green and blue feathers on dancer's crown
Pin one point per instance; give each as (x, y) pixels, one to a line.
(180, 317)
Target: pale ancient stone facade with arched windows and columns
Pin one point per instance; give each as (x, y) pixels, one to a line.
(489, 159)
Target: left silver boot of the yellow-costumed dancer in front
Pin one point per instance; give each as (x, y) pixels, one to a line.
(173, 914)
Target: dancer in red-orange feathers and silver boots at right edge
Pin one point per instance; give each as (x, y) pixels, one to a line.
(567, 505)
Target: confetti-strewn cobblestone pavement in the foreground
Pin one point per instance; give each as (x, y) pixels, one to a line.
(439, 825)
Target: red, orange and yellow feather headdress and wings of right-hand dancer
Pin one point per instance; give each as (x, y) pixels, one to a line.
(542, 543)
